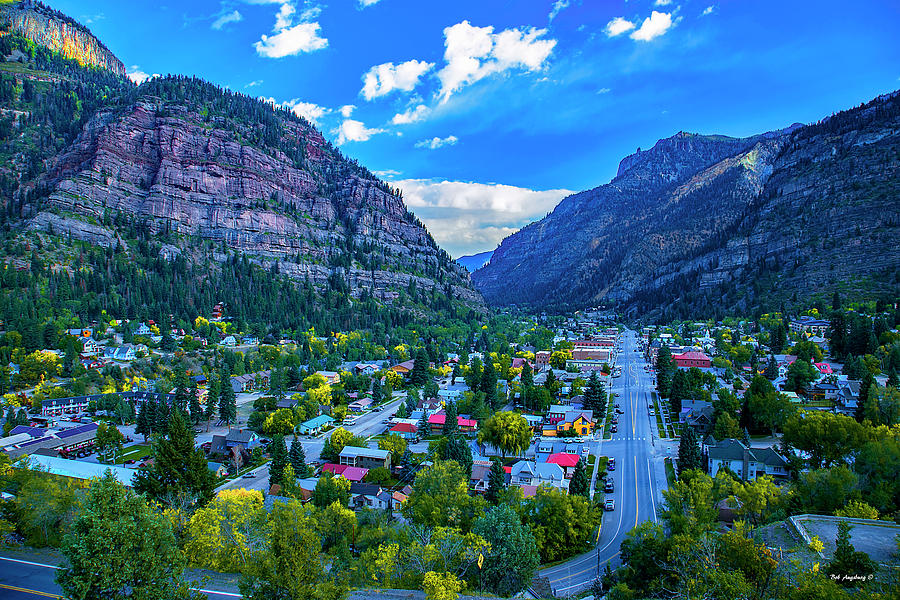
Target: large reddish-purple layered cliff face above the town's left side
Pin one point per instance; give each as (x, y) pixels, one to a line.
(197, 178)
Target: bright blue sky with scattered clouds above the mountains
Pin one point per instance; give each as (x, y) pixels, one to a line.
(486, 113)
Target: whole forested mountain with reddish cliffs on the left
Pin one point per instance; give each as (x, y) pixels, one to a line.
(178, 177)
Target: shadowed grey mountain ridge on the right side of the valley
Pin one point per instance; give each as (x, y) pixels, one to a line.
(710, 223)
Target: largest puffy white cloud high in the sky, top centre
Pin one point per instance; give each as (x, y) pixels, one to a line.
(473, 53)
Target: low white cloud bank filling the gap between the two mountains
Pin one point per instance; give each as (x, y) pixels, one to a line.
(466, 218)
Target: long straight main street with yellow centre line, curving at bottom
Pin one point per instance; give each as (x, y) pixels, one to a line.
(639, 473)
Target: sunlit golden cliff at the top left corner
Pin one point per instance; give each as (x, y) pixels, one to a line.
(50, 28)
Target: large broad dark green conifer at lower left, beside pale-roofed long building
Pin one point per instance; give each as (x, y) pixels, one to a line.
(179, 474)
